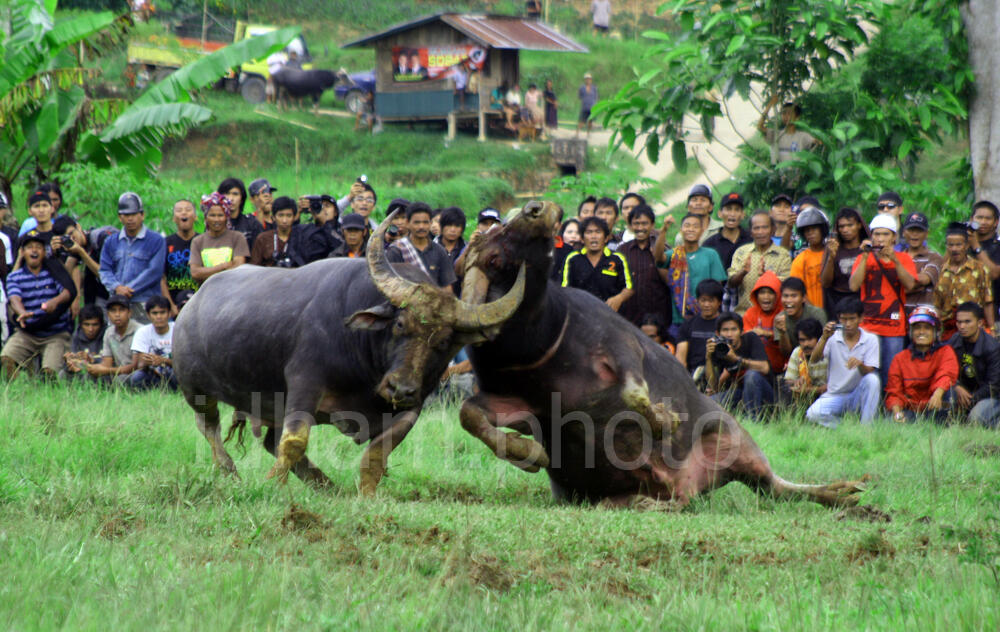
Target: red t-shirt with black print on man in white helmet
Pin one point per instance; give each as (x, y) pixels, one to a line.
(880, 293)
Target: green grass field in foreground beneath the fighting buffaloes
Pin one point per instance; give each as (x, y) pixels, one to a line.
(113, 517)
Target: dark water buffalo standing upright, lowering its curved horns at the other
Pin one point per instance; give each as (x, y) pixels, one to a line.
(337, 341)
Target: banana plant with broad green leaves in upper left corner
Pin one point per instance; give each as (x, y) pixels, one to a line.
(48, 116)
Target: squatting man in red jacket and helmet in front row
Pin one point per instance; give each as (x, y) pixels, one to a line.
(921, 374)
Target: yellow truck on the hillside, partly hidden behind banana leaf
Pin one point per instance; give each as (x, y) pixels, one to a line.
(153, 57)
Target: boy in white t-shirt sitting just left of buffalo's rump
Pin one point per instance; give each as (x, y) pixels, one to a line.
(152, 349)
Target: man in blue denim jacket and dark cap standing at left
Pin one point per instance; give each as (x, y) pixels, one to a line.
(132, 260)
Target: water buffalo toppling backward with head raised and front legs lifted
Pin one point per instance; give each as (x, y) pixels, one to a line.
(616, 418)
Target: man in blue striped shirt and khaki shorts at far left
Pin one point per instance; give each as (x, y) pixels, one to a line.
(40, 296)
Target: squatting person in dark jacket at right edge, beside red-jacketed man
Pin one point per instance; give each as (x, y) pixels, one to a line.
(978, 387)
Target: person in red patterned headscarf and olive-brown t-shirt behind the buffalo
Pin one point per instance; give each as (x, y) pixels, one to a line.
(218, 248)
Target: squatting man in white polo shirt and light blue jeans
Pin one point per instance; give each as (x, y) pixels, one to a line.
(852, 356)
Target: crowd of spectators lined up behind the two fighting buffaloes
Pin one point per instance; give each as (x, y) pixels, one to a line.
(779, 307)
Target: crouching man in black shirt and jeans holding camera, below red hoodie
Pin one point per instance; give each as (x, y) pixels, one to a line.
(737, 368)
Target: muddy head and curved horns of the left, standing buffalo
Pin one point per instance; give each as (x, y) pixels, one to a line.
(427, 324)
